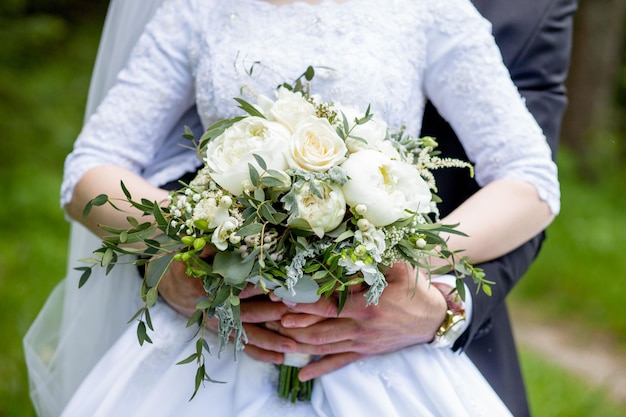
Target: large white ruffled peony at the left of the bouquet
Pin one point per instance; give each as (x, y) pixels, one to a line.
(228, 155)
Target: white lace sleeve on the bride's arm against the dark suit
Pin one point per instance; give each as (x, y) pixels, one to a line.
(471, 88)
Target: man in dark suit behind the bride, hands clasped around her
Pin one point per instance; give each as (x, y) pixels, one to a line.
(535, 39)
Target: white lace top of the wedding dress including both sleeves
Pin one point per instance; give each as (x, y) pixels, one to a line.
(392, 55)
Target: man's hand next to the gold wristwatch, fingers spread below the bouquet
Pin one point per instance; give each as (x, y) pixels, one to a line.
(406, 315)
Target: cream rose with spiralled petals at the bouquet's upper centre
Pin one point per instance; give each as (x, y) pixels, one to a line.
(315, 146)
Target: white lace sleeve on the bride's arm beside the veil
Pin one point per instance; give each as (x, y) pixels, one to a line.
(152, 92)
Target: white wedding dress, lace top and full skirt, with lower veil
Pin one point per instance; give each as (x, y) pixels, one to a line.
(390, 55)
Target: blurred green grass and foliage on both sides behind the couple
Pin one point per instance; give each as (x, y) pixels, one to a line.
(47, 49)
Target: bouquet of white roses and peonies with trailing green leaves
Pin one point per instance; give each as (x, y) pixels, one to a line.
(299, 196)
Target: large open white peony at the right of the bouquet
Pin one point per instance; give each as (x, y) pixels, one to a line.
(387, 188)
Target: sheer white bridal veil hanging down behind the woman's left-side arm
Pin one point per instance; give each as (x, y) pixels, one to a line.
(76, 326)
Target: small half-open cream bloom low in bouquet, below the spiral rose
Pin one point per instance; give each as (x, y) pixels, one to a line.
(322, 214)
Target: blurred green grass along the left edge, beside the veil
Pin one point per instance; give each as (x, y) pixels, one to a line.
(44, 77)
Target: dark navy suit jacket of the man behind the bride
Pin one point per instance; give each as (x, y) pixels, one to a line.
(534, 37)
